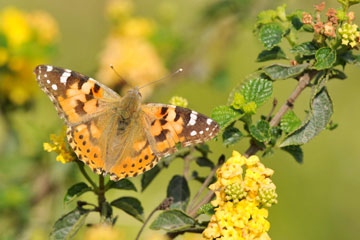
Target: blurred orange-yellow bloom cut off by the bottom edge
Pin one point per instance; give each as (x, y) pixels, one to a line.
(103, 232)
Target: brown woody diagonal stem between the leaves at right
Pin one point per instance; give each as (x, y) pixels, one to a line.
(304, 80)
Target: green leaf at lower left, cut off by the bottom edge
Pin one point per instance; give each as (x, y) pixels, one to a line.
(68, 225)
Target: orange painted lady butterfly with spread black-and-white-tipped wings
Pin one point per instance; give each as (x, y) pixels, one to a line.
(119, 135)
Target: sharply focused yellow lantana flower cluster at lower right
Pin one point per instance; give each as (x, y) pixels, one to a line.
(243, 191)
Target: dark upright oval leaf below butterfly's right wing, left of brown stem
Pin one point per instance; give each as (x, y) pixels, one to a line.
(178, 188)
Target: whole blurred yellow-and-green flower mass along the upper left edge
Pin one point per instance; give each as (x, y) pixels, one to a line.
(26, 40)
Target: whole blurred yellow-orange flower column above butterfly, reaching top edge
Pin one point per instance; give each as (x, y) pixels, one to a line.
(129, 50)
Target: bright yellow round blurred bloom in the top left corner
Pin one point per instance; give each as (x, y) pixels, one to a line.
(14, 25)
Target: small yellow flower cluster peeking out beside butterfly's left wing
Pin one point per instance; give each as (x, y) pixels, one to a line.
(58, 145)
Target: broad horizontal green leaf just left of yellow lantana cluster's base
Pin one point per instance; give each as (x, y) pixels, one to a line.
(172, 221)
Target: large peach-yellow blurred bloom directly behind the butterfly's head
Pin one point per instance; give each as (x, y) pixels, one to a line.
(135, 59)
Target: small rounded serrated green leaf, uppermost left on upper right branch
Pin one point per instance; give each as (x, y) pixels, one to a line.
(270, 35)
